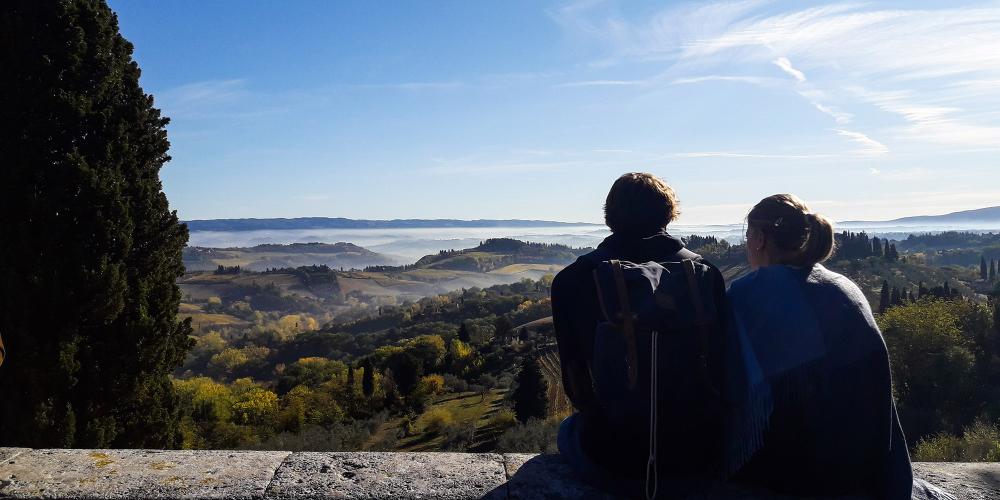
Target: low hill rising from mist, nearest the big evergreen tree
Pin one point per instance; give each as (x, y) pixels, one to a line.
(269, 256)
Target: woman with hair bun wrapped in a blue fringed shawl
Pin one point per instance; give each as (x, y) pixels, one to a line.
(817, 415)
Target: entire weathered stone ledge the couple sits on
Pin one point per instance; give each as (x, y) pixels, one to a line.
(185, 474)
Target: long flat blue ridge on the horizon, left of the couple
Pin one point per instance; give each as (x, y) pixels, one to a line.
(342, 223)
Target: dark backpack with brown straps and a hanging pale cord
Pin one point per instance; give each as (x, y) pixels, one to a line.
(650, 366)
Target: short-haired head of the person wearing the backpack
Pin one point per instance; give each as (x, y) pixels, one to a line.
(640, 204)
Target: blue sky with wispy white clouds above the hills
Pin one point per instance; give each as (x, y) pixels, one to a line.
(530, 109)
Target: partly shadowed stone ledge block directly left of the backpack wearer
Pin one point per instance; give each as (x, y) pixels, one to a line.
(545, 476)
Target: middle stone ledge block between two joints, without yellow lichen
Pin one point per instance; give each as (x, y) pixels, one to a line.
(387, 475)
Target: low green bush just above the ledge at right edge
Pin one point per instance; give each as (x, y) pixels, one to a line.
(980, 442)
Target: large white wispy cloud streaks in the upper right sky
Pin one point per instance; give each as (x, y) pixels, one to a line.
(933, 68)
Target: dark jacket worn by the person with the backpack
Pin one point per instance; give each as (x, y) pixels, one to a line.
(576, 313)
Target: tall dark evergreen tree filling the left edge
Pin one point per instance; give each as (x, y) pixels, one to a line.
(88, 300)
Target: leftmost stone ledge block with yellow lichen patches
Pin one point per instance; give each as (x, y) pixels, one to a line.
(138, 474)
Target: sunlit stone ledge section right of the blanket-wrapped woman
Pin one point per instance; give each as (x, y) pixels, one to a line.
(973, 481)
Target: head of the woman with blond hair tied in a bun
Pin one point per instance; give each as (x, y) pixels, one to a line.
(802, 238)
